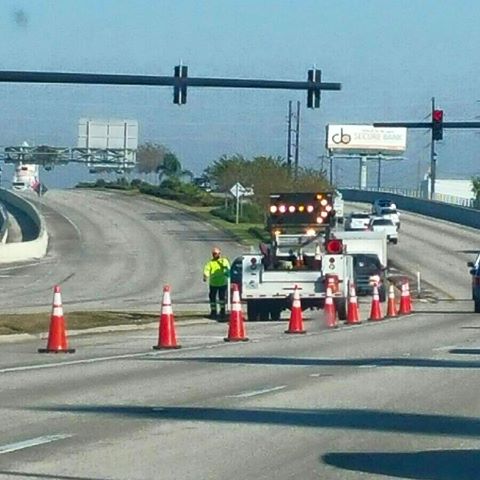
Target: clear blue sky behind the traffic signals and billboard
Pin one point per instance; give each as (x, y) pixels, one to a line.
(390, 56)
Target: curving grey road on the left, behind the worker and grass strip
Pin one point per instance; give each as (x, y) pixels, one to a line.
(110, 251)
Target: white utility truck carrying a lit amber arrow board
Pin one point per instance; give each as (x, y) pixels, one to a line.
(300, 255)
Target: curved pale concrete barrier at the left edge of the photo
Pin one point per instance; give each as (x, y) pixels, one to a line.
(21, 251)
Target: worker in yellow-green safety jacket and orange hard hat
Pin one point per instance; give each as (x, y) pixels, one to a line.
(217, 272)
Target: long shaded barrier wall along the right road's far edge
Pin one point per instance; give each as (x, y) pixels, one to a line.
(431, 208)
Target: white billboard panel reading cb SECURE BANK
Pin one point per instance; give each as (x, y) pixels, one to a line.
(366, 139)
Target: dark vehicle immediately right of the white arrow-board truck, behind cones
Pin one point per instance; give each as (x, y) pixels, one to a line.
(367, 270)
